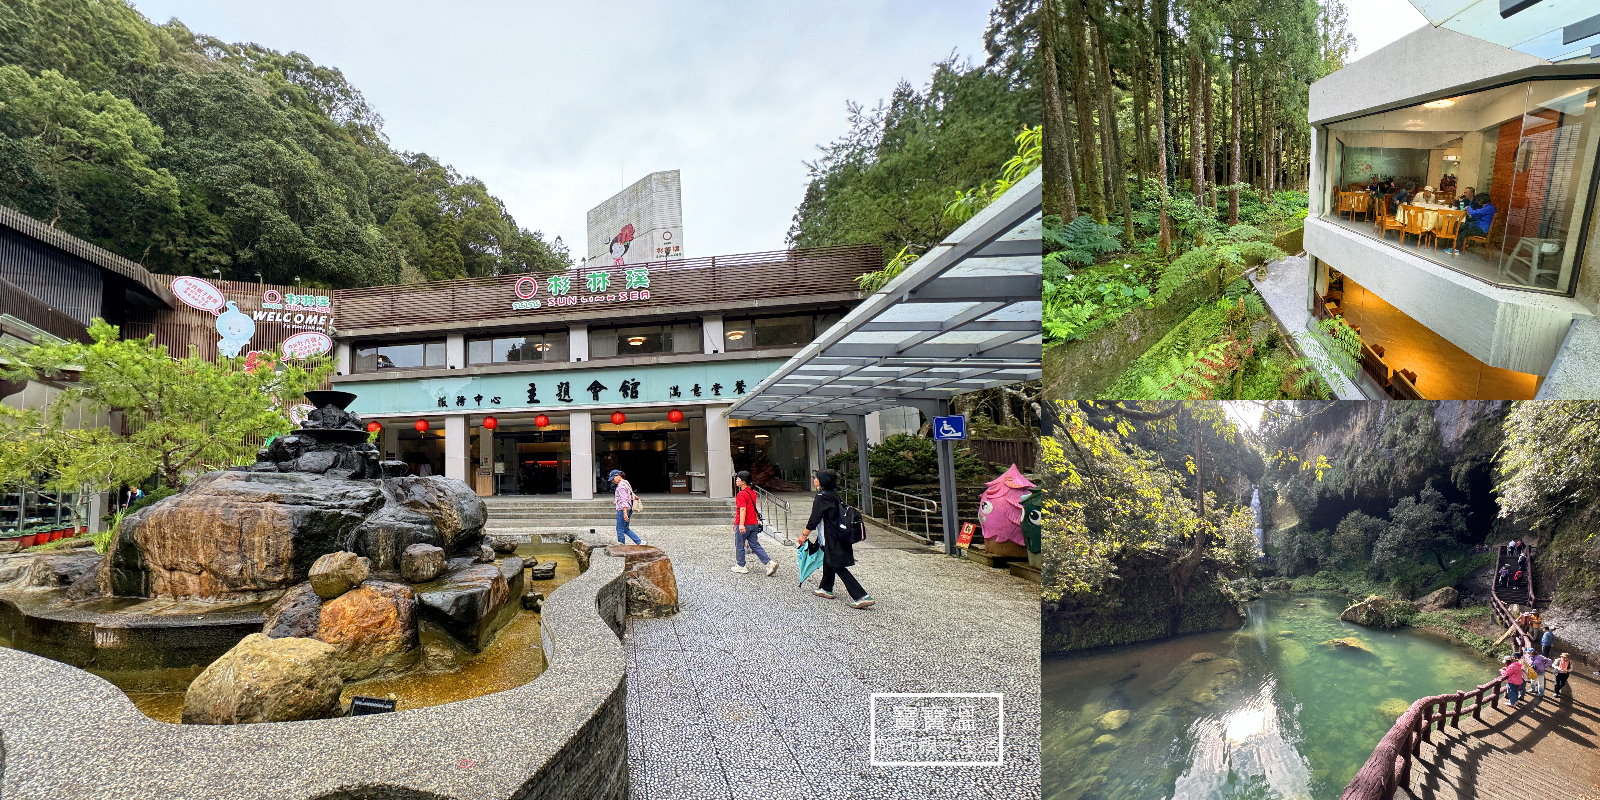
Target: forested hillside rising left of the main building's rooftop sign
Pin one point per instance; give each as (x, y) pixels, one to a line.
(190, 154)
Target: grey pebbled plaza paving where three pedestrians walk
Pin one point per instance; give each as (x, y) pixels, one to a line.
(759, 689)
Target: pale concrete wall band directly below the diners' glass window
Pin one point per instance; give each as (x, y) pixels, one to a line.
(1506, 329)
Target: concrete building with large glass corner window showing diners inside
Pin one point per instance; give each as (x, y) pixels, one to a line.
(1449, 311)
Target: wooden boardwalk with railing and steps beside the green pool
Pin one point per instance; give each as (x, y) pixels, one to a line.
(1474, 746)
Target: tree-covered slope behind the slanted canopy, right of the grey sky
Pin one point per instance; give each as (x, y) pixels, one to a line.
(890, 177)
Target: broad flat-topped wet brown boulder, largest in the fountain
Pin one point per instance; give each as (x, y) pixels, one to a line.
(238, 534)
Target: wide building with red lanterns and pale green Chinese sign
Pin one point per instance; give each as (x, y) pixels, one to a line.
(542, 385)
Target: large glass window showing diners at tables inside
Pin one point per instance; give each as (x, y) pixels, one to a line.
(1495, 182)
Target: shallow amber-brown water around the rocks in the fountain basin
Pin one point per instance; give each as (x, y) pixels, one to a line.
(449, 673)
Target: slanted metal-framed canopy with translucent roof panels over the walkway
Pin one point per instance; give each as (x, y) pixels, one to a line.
(961, 319)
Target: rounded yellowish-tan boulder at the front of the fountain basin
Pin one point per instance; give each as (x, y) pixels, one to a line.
(266, 681)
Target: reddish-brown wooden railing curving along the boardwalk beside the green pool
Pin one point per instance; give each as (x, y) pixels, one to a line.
(1390, 767)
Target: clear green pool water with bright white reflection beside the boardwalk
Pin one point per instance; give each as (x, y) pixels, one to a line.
(1270, 711)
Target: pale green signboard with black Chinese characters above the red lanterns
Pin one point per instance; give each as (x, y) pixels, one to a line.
(556, 390)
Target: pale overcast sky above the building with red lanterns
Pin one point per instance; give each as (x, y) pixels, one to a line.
(558, 106)
